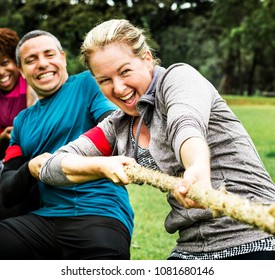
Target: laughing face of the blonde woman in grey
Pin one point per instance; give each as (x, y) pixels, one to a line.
(122, 76)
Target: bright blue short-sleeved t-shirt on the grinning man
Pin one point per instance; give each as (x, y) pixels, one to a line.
(53, 122)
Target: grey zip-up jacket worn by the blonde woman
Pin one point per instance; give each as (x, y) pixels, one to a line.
(180, 103)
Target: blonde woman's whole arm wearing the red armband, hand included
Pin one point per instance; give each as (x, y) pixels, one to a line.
(86, 158)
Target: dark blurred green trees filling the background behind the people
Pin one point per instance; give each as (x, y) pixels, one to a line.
(230, 42)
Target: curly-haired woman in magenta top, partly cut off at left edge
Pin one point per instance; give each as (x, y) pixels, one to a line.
(15, 95)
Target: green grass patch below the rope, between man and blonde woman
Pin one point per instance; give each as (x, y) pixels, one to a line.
(150, 240)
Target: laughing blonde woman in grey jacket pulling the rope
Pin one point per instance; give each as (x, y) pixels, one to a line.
(175, 121)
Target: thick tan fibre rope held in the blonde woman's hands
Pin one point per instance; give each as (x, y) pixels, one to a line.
(220, 202)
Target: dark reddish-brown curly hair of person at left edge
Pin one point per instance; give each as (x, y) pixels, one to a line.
(8, 42)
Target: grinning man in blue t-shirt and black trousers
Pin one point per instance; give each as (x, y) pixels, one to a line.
(92, 220)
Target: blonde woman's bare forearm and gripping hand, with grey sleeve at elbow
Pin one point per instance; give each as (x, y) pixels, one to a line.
(67, 168)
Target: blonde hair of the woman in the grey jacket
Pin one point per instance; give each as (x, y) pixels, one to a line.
(119, 31)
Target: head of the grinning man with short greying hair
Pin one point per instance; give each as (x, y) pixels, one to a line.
(43, 63)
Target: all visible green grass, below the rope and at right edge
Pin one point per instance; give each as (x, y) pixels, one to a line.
(150, 240)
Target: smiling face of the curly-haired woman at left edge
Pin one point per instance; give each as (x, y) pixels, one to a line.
(9, 74)
